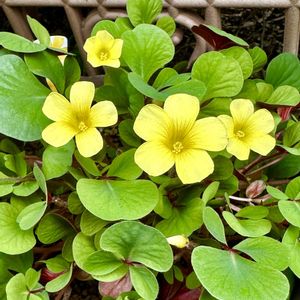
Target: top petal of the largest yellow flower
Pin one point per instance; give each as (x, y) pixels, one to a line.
(183, 110)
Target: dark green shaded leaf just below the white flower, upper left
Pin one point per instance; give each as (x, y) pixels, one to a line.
(47, 65)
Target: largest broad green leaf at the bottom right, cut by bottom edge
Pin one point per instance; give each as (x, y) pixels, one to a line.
(226, 276)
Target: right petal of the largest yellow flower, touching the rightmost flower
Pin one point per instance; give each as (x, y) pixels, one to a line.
(207, 134)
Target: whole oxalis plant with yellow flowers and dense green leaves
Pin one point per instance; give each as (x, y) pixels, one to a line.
(163, 182)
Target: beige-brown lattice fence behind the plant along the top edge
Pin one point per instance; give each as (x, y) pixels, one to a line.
(180, 10)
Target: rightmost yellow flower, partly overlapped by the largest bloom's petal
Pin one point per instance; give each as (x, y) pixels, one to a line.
(248, 130)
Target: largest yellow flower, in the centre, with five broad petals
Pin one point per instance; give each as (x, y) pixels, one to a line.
(173, 136)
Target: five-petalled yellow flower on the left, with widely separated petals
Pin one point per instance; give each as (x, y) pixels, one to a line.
(77, 118)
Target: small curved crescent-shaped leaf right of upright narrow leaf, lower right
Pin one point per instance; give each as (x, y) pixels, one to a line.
(249, 228)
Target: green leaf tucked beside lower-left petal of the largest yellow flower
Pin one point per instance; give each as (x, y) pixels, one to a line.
(124, 166)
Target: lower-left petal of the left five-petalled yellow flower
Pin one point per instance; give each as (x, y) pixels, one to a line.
(58, 134)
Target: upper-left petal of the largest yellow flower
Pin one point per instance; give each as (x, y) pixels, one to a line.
(152, 123)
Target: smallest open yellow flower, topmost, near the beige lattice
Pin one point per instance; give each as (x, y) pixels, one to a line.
(103, 50)
